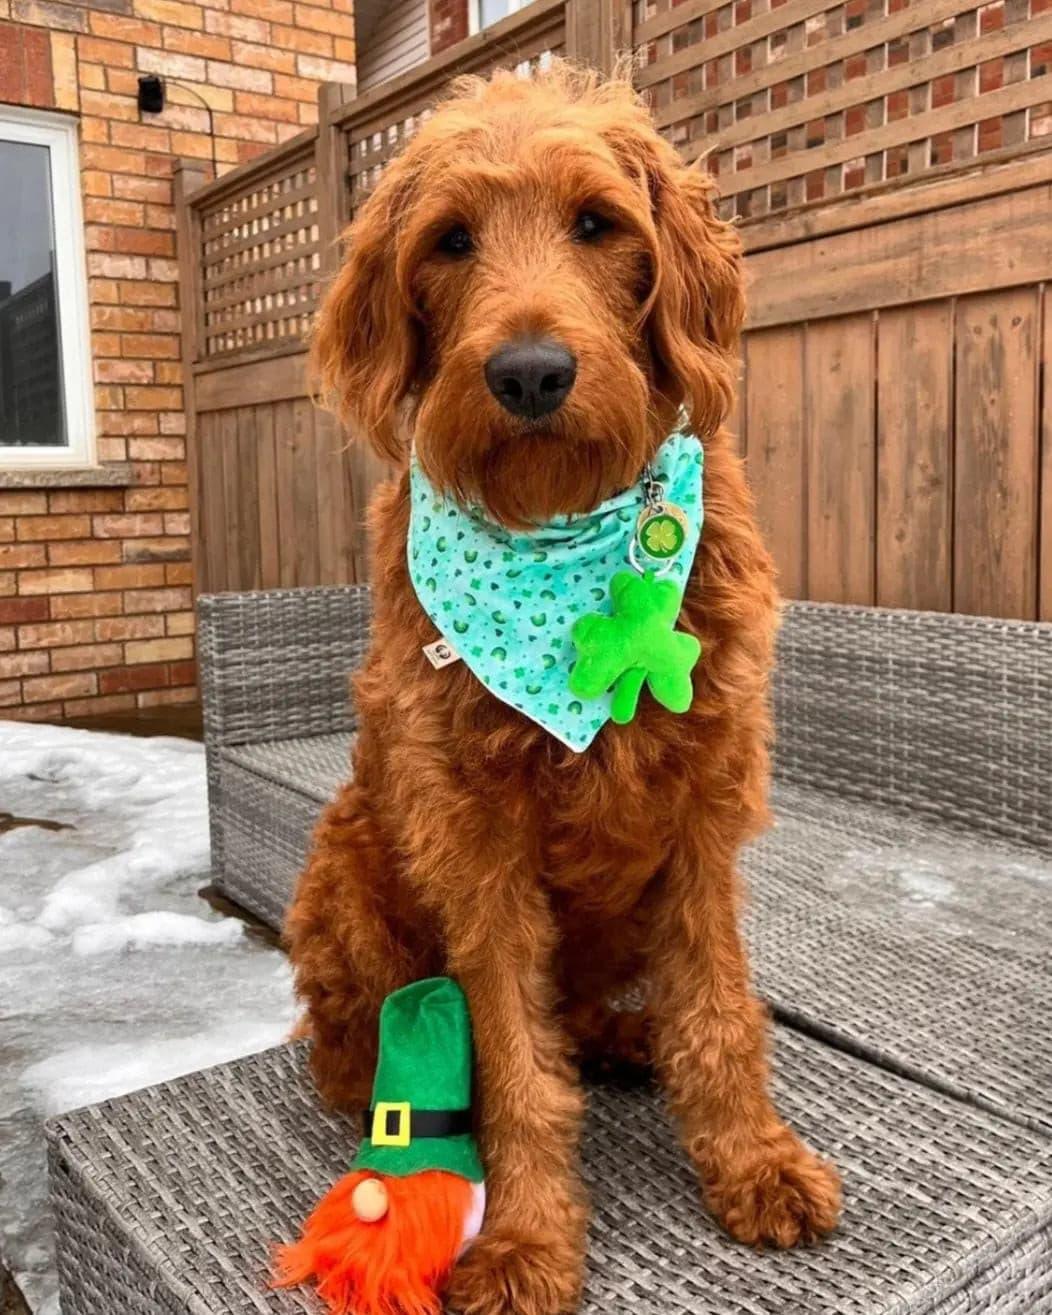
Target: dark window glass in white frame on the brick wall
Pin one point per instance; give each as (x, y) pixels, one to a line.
(32, 412)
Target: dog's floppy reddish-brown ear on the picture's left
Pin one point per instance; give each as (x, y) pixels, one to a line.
(365, 341)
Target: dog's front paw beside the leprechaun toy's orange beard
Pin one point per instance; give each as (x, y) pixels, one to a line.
(506, 1274)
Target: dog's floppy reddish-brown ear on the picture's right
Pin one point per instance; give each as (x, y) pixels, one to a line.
(696, 306)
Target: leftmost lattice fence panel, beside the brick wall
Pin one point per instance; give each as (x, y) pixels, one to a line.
(261, 261)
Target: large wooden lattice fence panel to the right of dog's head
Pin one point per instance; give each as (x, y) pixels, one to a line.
(796, 102)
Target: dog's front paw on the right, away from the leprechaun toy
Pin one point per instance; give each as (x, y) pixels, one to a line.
(780, 1195)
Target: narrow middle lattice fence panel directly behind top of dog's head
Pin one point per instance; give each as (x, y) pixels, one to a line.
(373, 144)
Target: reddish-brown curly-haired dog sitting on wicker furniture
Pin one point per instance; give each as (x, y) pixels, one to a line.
(471, 842)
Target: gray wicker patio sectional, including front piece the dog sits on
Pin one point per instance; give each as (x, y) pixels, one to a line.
(901, 929)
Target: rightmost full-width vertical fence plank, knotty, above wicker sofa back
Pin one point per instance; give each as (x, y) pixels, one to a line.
(996, 483)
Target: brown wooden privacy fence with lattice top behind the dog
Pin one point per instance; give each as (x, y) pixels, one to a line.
(891, 166)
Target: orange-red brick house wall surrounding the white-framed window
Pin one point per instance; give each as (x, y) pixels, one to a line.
(95, 583)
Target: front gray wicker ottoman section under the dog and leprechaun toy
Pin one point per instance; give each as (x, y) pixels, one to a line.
(168, 1200)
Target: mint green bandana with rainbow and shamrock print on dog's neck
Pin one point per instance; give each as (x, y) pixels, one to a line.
(507, 602)
